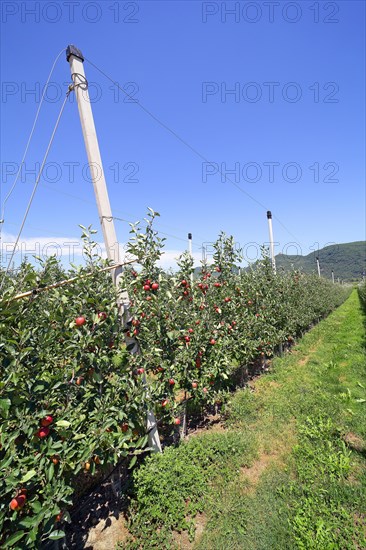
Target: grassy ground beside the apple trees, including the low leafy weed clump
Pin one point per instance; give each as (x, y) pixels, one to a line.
(289, 469)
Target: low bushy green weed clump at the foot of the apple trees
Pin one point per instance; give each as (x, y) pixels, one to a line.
(171, 487)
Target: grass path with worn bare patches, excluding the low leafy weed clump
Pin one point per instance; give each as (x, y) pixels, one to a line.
(307, 489)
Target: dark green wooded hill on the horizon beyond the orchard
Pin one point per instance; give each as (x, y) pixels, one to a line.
(348, 261)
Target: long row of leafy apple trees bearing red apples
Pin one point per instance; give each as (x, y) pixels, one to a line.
(74, 401)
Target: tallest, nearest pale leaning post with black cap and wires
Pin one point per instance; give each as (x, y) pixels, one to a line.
(76, 60)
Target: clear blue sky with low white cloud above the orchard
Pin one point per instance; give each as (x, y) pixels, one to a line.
(271, 93)
